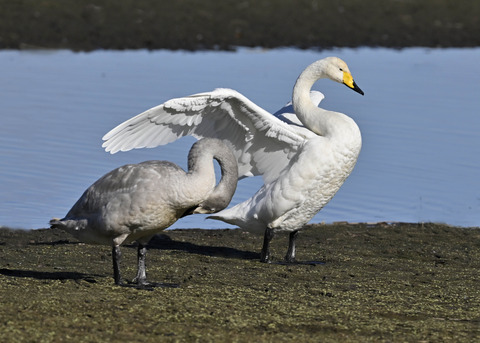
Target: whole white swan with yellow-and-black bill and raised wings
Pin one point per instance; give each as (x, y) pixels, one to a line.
(304, 157)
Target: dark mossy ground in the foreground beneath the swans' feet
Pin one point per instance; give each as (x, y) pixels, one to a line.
(402, 282)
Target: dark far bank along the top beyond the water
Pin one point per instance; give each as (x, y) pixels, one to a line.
(212, 24)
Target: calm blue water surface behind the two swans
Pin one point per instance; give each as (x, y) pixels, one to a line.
(420, 122)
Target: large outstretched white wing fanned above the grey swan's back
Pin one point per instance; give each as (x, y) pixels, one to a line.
(262, 143)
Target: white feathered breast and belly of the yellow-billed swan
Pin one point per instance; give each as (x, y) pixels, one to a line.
(315, 175)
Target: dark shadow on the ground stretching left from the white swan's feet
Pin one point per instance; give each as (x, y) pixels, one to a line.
(164, 242)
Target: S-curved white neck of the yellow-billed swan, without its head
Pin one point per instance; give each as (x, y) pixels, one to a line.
(320, 121)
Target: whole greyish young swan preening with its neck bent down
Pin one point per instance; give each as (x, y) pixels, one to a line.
(134, 202)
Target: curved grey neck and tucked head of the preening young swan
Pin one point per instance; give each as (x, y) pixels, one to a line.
(200, 165)
